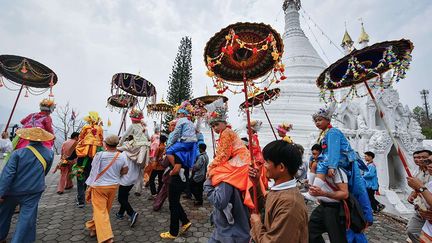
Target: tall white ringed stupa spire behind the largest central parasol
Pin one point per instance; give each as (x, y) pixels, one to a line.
(299, 97)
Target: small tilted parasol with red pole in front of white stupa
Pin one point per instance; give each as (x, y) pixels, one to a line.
(256, 99)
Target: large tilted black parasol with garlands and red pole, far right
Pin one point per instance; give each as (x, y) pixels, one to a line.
(367, 66)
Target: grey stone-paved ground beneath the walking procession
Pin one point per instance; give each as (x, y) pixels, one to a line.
(59, 220)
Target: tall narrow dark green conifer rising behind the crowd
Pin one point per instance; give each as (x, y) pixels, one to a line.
(180, 79)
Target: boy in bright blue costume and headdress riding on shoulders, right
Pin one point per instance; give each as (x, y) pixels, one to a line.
(337, 153)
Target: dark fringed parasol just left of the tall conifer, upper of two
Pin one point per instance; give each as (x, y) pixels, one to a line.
(134, 85)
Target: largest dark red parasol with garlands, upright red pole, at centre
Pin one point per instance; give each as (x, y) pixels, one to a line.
(241, 53)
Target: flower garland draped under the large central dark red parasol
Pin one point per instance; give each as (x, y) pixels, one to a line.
(232, 42)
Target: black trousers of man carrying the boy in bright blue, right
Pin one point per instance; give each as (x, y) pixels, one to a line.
(327, 219)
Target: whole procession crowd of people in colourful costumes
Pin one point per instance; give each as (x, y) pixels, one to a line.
(257, 195)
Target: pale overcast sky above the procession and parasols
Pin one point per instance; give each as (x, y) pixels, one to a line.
(86, 41)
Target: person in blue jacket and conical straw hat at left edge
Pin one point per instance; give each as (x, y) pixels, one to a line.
(22, 183)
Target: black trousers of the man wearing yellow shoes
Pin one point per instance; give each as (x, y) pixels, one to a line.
(176, 187)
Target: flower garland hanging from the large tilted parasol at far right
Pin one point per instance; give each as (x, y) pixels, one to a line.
(359, 70)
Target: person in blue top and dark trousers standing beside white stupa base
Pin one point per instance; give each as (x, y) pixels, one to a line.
(371, 179)
